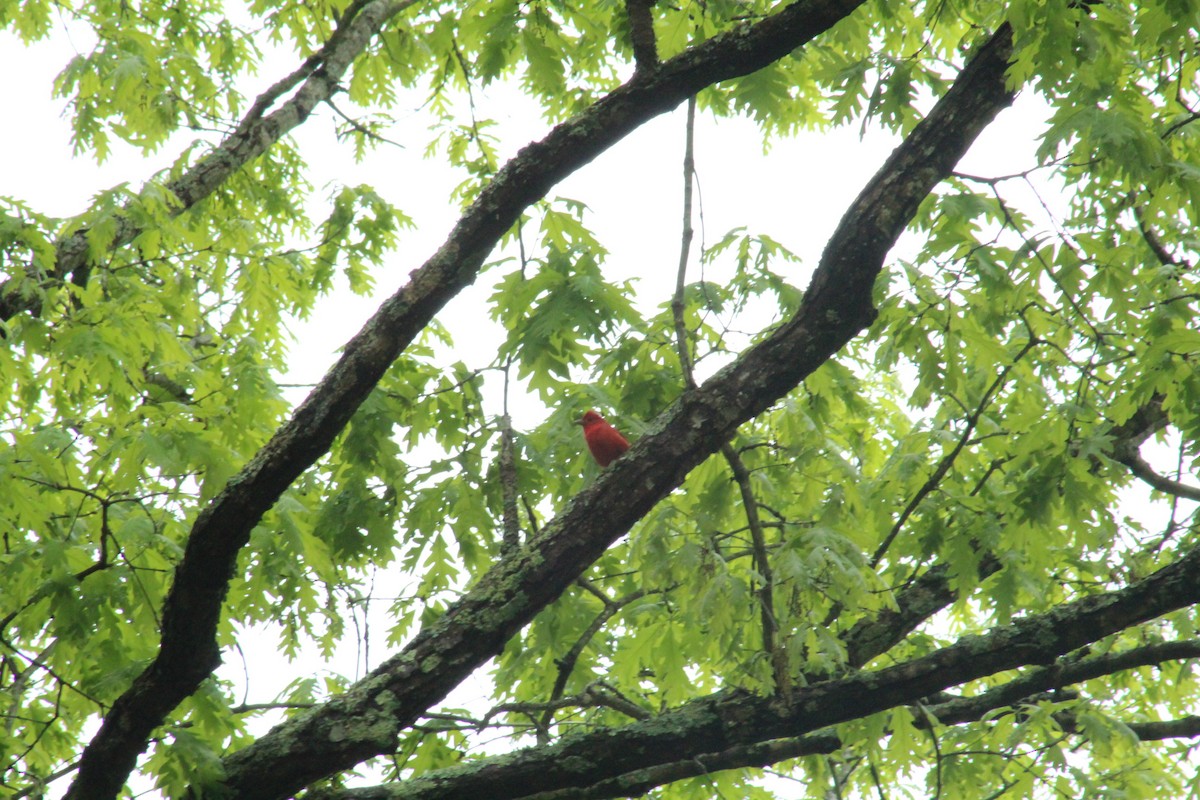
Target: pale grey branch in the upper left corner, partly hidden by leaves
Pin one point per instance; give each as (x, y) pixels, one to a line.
(319, 79)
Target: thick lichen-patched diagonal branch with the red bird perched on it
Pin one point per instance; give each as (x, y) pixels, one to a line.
(367, 720)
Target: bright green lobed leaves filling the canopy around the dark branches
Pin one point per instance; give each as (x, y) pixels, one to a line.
(1034, 332)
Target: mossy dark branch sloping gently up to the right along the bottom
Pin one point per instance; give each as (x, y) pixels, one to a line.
(733, 730)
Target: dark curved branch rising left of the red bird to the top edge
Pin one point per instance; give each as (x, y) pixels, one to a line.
(189, 653)
